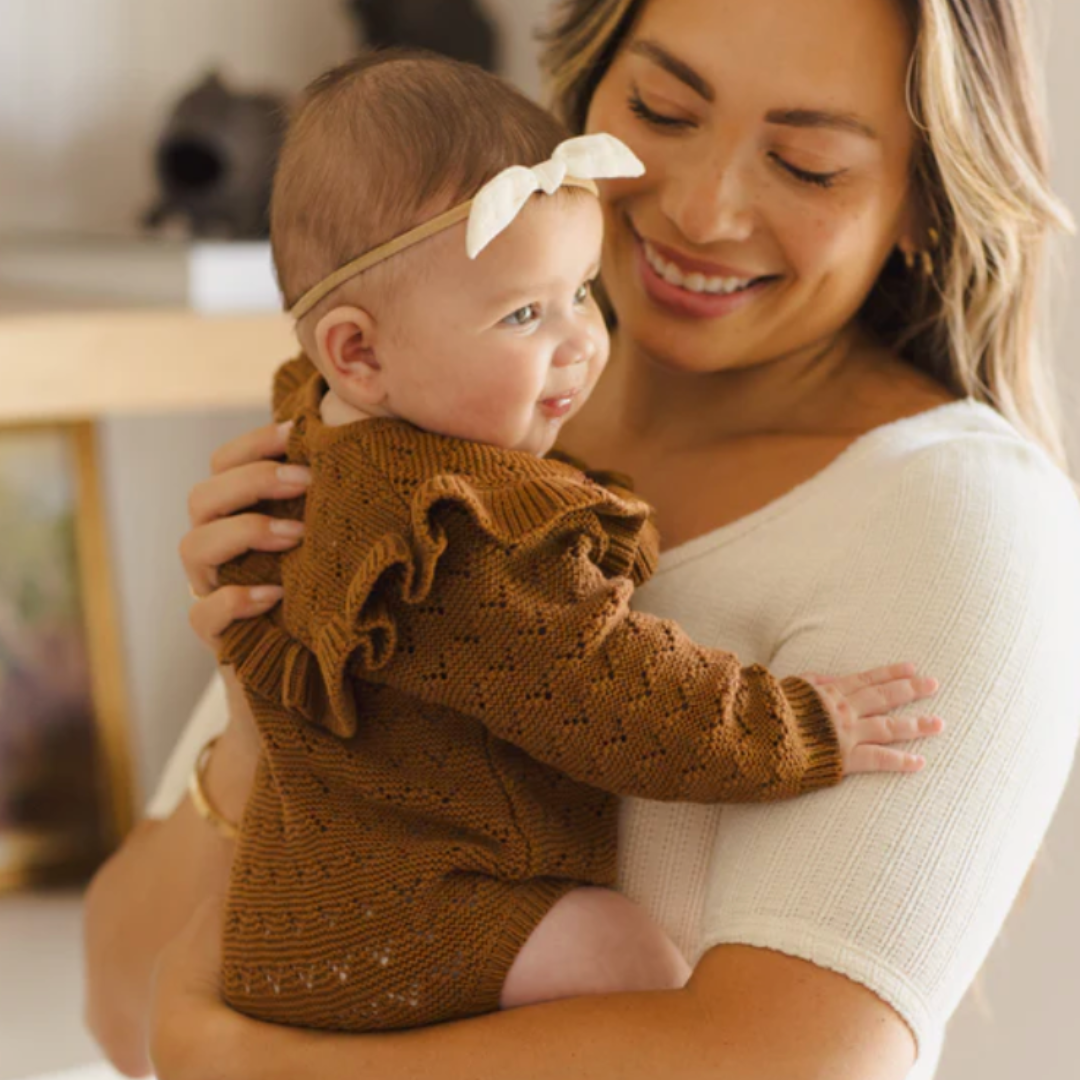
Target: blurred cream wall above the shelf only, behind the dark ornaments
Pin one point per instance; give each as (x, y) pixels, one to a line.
(87, 85)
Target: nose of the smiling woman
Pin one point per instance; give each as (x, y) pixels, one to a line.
(710, 205)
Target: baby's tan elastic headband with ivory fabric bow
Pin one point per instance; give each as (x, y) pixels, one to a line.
(577, 164)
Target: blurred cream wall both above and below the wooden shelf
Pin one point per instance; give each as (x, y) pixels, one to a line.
(85, 89)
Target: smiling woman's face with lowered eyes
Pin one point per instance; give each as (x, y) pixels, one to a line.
(778, 150)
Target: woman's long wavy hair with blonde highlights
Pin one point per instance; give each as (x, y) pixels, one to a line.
(980, 175)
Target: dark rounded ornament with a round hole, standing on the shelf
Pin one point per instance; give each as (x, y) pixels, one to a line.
(215, 163)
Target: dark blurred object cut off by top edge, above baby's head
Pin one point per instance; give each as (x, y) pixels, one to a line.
(456, 29)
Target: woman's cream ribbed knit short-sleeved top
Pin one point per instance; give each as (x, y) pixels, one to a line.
(948, 541)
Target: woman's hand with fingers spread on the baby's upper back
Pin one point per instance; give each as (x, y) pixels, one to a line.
(246, 471)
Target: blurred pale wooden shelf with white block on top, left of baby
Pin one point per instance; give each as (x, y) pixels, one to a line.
(94, 327)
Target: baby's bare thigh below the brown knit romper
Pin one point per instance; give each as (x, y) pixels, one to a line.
(593, 941)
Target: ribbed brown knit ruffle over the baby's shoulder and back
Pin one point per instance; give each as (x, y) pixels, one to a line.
(310, 668)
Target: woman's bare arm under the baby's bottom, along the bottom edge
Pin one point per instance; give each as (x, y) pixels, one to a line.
(747, 1015)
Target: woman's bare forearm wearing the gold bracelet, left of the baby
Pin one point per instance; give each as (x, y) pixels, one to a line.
(142, 898)
